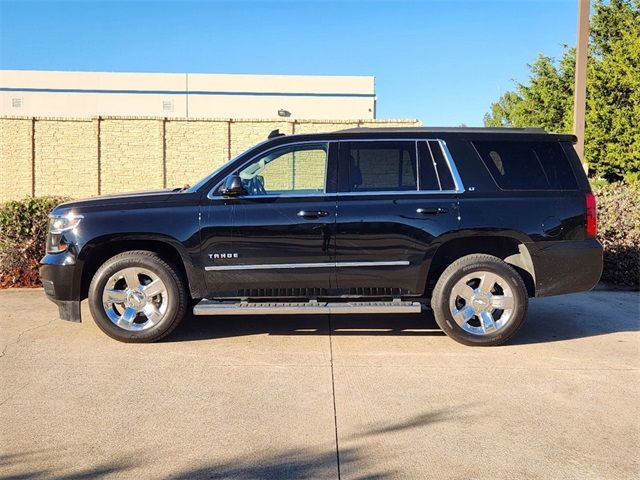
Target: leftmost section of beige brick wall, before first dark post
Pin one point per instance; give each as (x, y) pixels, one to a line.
(15, 158)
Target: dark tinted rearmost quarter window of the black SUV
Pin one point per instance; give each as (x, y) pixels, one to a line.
(527, 165)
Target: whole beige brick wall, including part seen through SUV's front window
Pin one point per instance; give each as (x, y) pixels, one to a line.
(86, 157)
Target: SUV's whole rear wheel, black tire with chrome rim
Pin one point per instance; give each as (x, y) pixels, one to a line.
(467, 298)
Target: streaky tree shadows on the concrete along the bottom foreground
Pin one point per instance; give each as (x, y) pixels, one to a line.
(274, 463)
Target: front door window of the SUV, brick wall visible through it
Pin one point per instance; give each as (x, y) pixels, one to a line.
(293, 169)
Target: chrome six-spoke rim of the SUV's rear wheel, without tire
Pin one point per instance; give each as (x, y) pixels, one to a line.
(481, 303)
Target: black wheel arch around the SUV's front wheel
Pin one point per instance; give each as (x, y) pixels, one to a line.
(99, 250)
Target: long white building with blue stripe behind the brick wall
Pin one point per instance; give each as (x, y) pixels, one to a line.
(90, 94)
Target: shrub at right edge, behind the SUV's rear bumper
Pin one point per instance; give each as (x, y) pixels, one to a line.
(619, 231)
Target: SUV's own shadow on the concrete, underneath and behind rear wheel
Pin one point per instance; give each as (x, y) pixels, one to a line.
(548, 320)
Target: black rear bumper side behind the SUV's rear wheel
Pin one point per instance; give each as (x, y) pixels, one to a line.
(566, 266)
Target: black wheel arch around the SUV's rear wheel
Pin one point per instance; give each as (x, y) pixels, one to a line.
(509, 248)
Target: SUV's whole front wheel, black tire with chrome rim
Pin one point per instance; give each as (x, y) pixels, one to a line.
(137, 297)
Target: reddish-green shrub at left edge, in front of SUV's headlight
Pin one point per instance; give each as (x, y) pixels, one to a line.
(23, 227)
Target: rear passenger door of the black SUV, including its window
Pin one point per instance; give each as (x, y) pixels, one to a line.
(395, 197)
